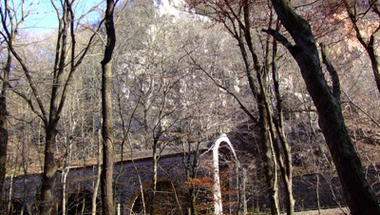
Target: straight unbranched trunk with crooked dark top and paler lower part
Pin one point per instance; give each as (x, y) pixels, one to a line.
(107, 128)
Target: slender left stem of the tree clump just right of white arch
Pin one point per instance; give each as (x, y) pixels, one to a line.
(265, 115)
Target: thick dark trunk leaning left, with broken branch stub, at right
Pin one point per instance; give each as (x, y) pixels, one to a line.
(359, 196)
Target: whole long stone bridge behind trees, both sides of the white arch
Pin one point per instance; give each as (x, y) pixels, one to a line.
(134, 174)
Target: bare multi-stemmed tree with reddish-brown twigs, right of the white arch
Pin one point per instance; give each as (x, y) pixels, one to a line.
(236, 17)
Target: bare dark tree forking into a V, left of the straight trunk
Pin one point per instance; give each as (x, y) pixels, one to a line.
(62, 73)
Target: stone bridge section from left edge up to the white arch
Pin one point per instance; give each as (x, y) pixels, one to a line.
(133, 177)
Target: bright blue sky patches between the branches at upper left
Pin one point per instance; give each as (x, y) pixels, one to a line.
(43, 18)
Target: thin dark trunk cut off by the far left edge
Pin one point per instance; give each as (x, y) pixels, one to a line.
(3, 124)
